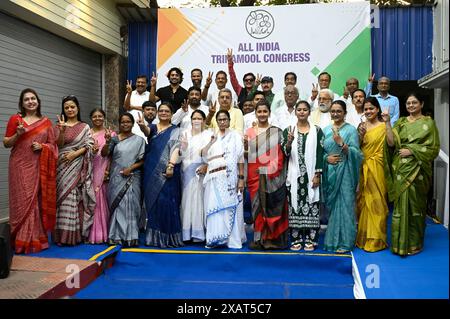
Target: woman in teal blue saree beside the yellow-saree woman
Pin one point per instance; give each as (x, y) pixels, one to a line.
(342, 161)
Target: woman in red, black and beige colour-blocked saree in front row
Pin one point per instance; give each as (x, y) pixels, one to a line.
(266, 182)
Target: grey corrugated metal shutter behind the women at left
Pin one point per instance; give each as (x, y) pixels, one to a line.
(53, 66)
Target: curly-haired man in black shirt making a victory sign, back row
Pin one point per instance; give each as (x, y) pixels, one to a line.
(173, 93)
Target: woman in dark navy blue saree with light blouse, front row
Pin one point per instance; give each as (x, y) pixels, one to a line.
(162, 182)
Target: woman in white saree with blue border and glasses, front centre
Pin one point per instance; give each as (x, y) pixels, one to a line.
(224, 184)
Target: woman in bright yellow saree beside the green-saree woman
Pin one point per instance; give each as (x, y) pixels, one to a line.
(372, 210)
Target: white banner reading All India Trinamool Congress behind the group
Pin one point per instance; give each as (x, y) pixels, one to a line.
(272, 40)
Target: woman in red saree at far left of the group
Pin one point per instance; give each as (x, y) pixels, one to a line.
(32, 175)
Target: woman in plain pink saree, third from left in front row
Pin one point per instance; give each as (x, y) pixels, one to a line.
(100, 175)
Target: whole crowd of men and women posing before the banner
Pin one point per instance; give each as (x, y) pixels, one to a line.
(180, 172)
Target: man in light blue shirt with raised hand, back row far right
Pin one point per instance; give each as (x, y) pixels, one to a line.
(386, 100)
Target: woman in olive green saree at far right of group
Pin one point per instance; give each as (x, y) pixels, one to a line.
(413, 145)
